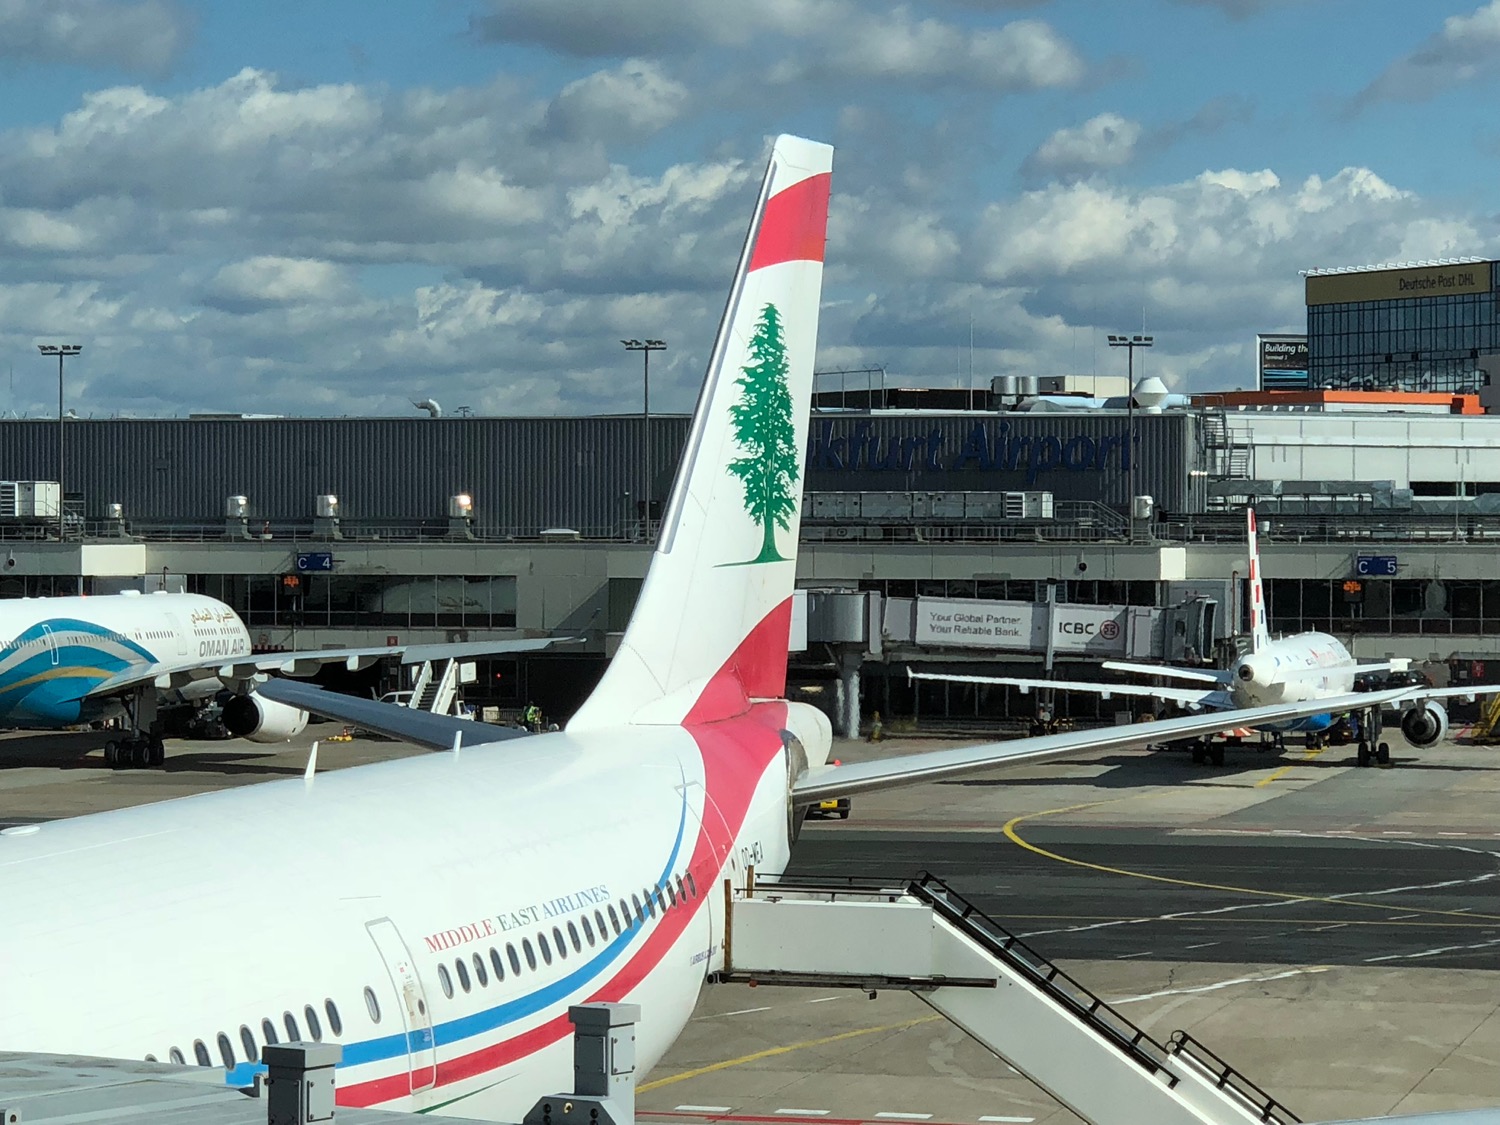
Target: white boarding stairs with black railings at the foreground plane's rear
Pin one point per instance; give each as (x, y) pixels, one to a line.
(928, 940)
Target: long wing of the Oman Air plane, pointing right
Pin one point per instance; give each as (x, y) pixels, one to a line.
(305, 664)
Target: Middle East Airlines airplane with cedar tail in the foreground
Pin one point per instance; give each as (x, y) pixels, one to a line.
(437, 916)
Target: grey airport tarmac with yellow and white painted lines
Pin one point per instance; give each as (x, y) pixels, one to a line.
(1330, 931)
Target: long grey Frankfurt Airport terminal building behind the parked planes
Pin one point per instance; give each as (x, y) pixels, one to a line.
(1081, 530)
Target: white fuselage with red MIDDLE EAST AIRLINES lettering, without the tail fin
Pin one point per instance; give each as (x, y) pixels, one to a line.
(148, 931)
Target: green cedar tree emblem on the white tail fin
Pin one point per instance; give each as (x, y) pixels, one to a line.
(767, 433)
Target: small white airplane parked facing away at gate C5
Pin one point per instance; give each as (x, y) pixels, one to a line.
(1291, 670)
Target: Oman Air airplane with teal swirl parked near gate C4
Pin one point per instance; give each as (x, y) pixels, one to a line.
(73, 661)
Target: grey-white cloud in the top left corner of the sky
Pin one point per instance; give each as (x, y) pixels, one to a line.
(140, 35)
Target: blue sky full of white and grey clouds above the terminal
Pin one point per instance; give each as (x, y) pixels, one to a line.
(335, 208)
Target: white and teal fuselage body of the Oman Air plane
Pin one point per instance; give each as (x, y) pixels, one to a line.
(56, 650)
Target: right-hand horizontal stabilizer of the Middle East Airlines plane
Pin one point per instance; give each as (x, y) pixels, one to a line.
(827, 782)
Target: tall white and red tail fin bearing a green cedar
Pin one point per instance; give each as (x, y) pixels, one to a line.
(710, 631)
